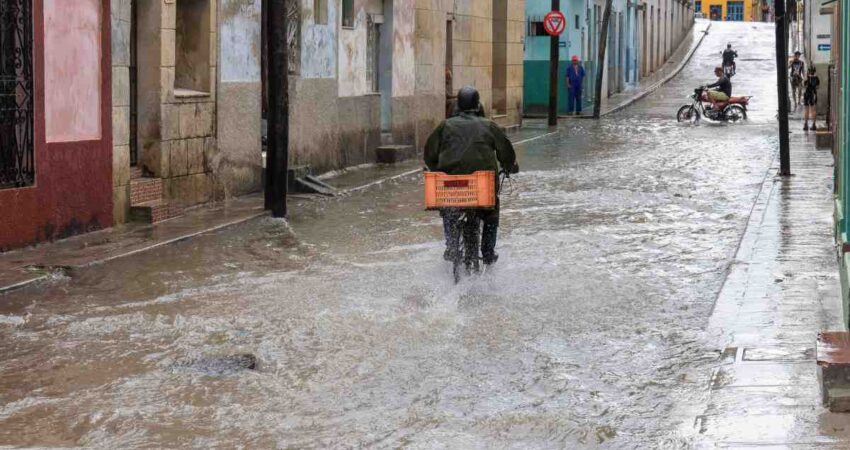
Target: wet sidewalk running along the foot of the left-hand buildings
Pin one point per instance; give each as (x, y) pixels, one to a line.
(23, 267)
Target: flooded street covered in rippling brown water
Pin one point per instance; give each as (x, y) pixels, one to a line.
(616, 238)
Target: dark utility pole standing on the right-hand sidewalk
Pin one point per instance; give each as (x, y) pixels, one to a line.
(782, 86)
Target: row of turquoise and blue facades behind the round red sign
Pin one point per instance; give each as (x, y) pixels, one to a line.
(641, 37)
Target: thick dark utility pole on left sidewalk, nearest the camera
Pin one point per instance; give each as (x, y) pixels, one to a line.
(277, 157)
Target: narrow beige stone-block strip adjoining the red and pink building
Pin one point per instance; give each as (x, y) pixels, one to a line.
(121, 15)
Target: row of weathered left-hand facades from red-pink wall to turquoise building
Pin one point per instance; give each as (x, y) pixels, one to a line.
(173, 116)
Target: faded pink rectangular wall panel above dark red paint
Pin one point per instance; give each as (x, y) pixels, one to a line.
(72, 61)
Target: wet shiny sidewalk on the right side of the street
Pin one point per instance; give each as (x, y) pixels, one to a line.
(781, 290)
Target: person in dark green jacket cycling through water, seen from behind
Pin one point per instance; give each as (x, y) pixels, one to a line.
(466, 143)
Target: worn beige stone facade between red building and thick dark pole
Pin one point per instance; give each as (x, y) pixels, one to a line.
(186, 109)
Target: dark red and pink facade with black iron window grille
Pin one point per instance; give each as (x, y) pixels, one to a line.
(55, 120)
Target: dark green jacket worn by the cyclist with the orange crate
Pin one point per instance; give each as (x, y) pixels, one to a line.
(466, 143)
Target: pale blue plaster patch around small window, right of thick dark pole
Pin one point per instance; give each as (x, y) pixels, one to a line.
(318, 42)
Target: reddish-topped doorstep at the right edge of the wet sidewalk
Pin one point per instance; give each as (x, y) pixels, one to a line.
(833, 359)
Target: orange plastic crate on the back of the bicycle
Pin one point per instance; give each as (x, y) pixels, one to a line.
(460, 191)
